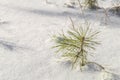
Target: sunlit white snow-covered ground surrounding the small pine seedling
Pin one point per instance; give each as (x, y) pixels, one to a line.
(25, 43)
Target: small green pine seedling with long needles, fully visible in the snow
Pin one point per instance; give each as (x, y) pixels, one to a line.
(76, 44)
